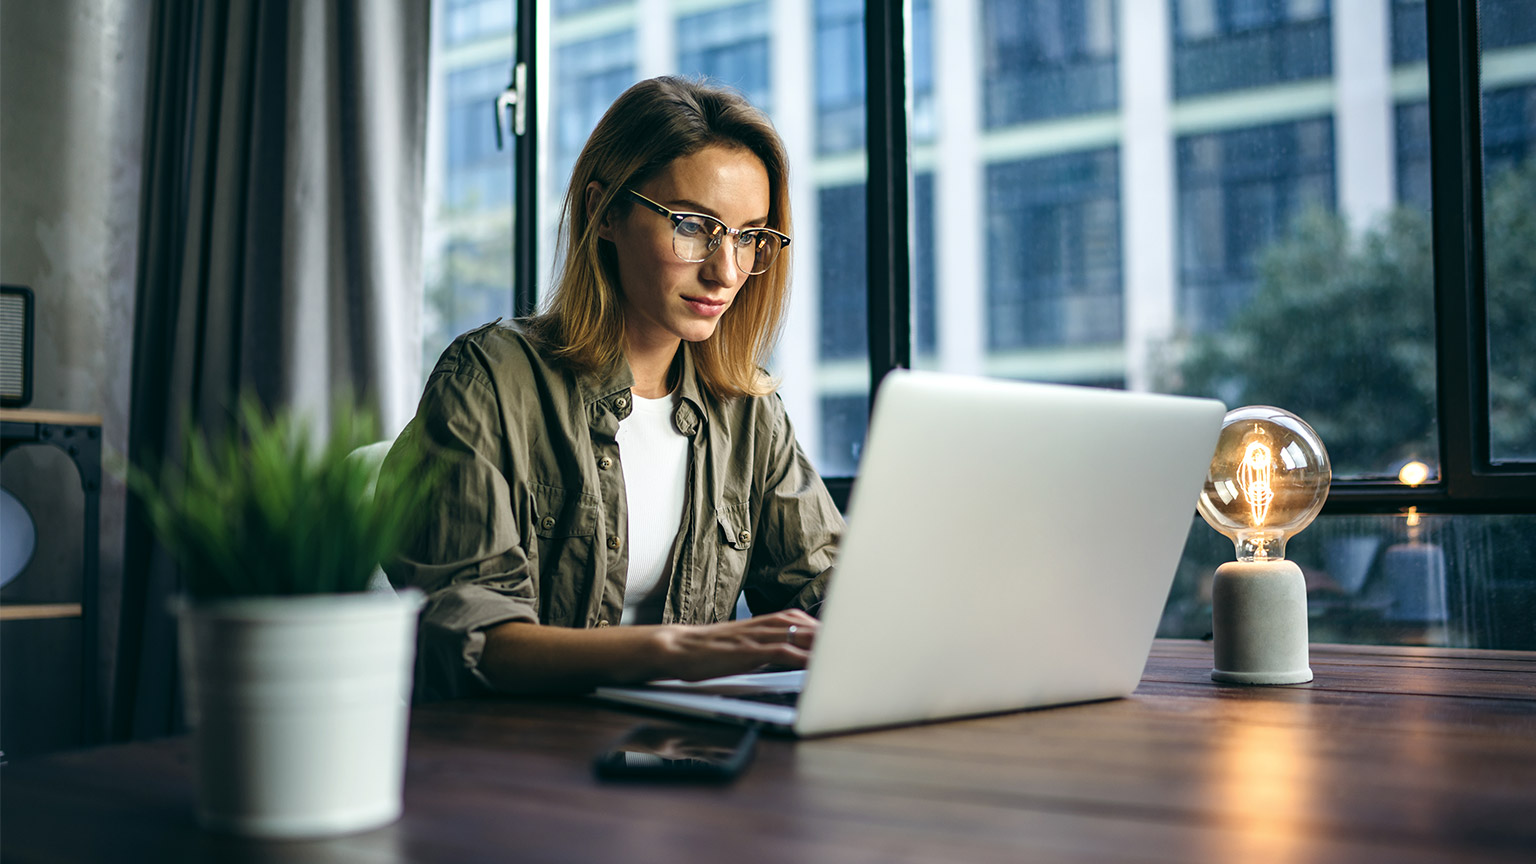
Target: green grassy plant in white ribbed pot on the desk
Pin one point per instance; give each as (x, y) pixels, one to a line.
(297, 677)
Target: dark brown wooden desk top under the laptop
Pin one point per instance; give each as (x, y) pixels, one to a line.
(1391, 756)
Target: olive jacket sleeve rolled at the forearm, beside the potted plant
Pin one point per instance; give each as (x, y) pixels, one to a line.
(466, 553)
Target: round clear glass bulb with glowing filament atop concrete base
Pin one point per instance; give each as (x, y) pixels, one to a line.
(1268, 480)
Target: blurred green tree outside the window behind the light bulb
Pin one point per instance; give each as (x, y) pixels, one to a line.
(1342, 331)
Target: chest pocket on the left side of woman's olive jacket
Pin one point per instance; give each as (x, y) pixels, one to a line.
(566, 527)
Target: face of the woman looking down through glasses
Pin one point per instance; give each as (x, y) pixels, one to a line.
(667, 299)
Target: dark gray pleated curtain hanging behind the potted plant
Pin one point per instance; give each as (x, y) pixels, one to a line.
(280, 250)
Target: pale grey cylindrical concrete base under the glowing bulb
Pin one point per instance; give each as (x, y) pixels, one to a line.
(1259, 614)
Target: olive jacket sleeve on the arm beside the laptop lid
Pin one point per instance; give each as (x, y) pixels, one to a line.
(798, 528)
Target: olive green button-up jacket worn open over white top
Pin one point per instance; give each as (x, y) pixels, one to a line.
(529, 517)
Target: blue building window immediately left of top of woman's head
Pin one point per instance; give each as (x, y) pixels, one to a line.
(589, 78)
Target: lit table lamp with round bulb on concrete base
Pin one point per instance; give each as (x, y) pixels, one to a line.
(1268, 480)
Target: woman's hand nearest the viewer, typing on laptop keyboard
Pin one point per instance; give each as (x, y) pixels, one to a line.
(707, 651)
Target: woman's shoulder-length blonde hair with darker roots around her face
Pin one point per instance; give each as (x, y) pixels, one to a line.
(654, 124)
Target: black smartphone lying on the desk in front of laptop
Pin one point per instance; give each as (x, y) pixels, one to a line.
(678, 753)
